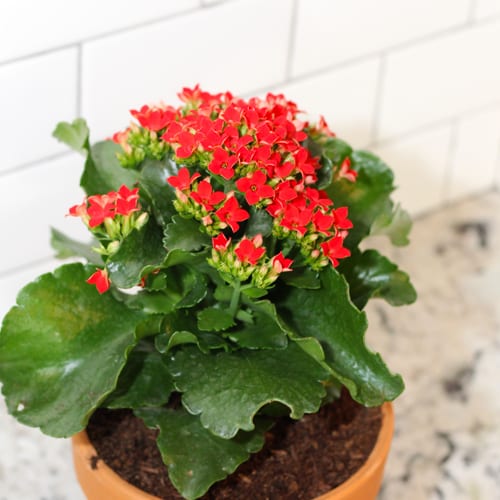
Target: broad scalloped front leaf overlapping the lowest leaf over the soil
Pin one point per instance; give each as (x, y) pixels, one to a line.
(229, 388)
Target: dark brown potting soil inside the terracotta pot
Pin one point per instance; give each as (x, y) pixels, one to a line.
(300, 460)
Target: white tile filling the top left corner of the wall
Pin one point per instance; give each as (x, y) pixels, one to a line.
(28, 26)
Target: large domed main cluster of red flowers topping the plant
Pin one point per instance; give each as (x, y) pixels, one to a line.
(239, 157)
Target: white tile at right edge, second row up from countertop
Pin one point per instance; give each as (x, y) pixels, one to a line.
(440, 79)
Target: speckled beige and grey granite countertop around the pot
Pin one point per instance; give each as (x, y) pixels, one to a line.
(446, 346)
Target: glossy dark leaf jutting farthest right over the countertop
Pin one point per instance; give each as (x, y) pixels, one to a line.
(371, 275)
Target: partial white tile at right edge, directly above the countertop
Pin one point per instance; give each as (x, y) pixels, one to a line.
(475, 157)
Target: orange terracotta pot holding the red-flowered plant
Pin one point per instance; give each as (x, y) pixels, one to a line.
(101, 482)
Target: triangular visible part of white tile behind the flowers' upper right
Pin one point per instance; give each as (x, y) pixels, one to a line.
(345, 97)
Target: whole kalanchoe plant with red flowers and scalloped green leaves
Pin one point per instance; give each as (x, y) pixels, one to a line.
(228, 272)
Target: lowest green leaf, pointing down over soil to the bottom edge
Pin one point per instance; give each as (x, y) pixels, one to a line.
(195, 457)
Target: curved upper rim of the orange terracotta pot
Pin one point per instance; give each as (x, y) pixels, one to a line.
(375, 461)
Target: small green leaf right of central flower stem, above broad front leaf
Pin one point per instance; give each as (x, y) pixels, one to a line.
(265, 332)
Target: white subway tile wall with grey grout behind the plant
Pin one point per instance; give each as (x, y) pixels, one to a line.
(416, 81)
